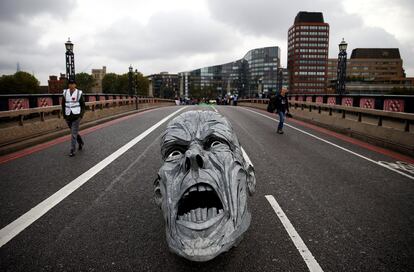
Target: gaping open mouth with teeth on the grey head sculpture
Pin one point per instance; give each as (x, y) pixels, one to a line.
(200, 207)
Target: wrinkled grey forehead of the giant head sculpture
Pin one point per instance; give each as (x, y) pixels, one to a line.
(197, 125)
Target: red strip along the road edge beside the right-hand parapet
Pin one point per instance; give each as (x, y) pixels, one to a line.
(348, 139)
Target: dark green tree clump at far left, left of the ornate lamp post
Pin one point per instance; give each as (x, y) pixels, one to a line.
(19, 83)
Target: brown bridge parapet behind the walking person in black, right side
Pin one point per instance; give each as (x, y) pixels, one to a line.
(391, 129)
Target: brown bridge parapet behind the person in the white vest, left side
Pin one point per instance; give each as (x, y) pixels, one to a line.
(23, 123)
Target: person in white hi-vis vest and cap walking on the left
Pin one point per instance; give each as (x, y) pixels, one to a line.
(73, 108)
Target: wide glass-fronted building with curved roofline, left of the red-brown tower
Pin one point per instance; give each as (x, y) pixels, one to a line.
(253, 75)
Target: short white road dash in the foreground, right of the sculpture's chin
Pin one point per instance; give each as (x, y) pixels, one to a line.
(307, 256)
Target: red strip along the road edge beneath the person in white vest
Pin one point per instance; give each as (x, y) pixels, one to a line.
(39, 147)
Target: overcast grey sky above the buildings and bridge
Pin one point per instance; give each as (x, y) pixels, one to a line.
(181, 35)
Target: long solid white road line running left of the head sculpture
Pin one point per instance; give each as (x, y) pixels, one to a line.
(11, 230)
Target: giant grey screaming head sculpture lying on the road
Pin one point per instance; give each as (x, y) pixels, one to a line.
(203, 185)
